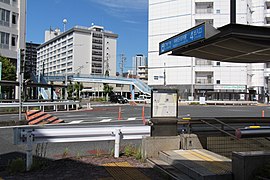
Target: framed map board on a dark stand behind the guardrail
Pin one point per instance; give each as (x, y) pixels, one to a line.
(164, 103)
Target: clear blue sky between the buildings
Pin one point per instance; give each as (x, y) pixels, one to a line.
(127, 18)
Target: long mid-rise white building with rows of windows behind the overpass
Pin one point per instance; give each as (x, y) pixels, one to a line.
(80, 50)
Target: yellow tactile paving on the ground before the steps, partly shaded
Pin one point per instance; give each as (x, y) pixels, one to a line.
(124, 170)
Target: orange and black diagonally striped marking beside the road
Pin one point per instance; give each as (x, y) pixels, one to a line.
(35, 117)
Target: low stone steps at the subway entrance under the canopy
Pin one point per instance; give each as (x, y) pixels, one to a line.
(193, 164)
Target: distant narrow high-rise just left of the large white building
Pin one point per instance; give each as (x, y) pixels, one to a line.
(139, 67)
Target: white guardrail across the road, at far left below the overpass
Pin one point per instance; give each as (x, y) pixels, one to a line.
(41, 104)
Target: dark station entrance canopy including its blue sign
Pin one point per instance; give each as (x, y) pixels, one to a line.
(230, 43)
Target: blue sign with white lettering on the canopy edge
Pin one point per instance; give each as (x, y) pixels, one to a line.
(194, 34)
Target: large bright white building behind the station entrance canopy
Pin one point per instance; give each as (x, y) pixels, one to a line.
(212, 79)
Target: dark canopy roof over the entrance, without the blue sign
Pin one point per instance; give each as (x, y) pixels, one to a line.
(234, 43)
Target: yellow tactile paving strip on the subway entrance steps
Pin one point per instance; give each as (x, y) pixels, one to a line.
(208, 163)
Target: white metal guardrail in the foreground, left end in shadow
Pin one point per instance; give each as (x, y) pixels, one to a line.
(34, 135)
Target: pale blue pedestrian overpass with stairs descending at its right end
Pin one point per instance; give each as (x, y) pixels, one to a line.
(134, 83)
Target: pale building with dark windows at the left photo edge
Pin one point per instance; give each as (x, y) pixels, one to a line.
(12, 27)
